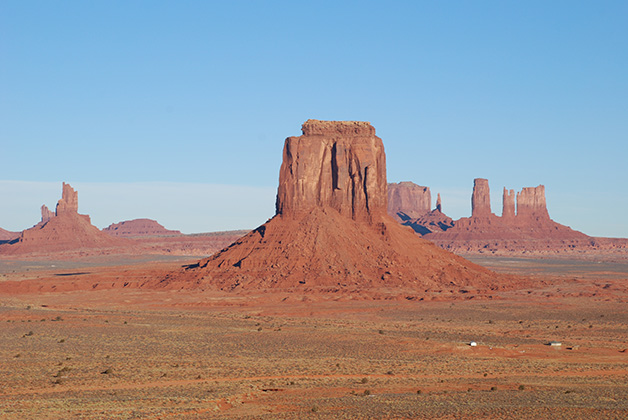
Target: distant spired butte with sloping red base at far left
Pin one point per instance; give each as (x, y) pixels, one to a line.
(63, 230)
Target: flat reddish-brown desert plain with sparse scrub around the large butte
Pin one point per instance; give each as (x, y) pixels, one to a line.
(82, 341)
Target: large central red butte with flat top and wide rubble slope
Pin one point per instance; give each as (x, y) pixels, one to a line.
(331, 230)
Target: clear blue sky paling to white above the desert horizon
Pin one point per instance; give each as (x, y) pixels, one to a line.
(177, 110)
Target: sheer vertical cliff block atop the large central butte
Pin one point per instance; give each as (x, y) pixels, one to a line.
(340, 165)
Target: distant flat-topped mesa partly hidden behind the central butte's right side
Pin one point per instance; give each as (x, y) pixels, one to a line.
(407, 200)
